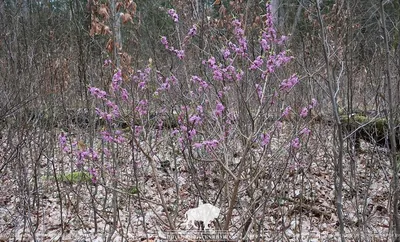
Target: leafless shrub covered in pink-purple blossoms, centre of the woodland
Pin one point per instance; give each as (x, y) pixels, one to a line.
(207, 115)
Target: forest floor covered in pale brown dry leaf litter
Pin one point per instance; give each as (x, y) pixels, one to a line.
(49, 209)
